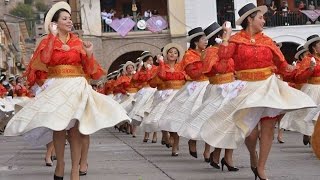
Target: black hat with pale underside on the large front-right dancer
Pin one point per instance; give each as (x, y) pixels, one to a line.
(248, 9)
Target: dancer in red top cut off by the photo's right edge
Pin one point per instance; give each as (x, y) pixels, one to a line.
(301, 120)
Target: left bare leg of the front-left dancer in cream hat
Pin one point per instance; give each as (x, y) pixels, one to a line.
(59, 140)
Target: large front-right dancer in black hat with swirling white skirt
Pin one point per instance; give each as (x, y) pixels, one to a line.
(264, 96)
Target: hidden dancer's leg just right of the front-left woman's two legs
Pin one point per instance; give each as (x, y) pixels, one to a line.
(85, 143)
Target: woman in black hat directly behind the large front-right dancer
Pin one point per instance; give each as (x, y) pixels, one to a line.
(222, 89)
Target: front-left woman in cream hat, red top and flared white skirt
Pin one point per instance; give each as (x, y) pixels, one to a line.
(69, 103)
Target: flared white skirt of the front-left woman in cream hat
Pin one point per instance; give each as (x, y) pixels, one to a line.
(58, 107)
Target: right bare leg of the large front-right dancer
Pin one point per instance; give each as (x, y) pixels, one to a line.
(267, 132)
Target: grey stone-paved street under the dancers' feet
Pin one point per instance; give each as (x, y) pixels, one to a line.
(115, 155)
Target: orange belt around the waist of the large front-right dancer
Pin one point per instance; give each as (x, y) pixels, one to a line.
(254, 74)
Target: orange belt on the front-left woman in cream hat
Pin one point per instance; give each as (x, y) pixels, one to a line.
(65, 71)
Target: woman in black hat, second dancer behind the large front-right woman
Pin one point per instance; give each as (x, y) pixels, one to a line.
(189, 98)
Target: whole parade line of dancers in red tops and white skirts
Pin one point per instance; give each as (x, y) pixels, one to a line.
(224, 90)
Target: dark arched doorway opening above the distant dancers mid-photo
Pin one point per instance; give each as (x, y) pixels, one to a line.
(129, 56)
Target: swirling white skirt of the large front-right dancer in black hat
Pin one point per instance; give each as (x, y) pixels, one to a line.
(228, 127)
